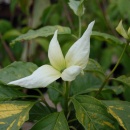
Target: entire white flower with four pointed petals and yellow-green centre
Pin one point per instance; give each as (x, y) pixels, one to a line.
(66, 68)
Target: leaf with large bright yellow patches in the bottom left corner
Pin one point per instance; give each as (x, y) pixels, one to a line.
(13, 114)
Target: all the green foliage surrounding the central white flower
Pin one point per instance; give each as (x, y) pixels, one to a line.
(98, 98)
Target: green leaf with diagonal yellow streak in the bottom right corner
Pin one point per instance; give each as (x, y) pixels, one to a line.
(120, 110)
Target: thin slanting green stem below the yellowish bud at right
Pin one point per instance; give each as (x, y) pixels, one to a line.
(107, 78)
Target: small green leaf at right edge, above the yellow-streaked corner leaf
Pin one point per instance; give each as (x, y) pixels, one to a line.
(123, 79)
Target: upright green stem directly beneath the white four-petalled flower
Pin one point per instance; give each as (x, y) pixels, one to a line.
(66, 97)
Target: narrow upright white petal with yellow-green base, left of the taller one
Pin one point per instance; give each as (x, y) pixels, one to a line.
(55, 55)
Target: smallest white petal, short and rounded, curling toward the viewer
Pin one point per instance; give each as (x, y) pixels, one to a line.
(70, 73)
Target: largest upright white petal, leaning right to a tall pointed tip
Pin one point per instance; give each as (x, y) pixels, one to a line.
(78, 54)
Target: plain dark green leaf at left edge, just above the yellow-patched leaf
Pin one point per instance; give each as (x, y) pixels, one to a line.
(8, 93)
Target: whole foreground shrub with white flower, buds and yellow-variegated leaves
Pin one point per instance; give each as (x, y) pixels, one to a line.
(79, 94)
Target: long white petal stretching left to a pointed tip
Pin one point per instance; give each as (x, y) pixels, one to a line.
(41, 77)
